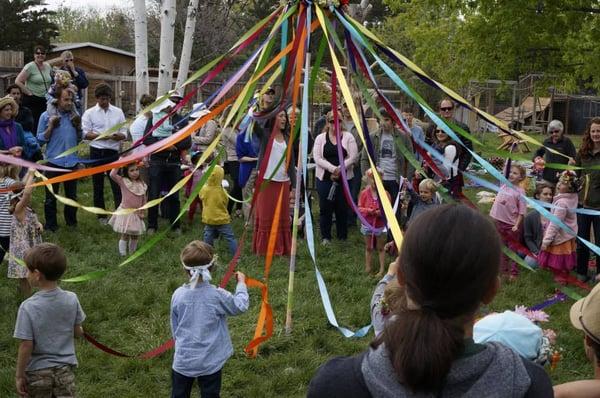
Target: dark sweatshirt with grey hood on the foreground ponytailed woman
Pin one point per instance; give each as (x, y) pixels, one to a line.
(495, 371)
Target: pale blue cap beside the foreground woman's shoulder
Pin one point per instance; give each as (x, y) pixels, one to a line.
(511, 329)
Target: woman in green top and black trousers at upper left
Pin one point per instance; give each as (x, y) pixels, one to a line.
(35, 81)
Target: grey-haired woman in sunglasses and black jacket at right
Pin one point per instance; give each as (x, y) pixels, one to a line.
(559, 143)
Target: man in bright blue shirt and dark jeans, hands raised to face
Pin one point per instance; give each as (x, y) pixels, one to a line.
(59, 134)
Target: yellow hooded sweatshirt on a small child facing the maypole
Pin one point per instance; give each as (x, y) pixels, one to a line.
(214, 199)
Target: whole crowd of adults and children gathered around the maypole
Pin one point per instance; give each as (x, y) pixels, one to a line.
(424, 327)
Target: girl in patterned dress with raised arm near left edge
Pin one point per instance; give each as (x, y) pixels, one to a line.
(26, 232)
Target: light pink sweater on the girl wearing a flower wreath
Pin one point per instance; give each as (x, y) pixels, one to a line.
(563, 206)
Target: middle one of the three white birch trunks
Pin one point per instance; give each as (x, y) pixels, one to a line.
(167, 37)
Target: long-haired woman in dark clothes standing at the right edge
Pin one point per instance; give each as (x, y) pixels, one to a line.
(589, 197)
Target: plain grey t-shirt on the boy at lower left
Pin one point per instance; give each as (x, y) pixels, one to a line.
(49, 319)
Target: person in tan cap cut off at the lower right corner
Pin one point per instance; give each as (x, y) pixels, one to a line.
(585, 316)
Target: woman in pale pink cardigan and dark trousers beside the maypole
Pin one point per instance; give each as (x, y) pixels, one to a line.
(327, 172)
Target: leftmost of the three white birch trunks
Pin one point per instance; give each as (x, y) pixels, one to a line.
(142, 85)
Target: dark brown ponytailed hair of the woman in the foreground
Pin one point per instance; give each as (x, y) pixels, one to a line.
(449, 262)
